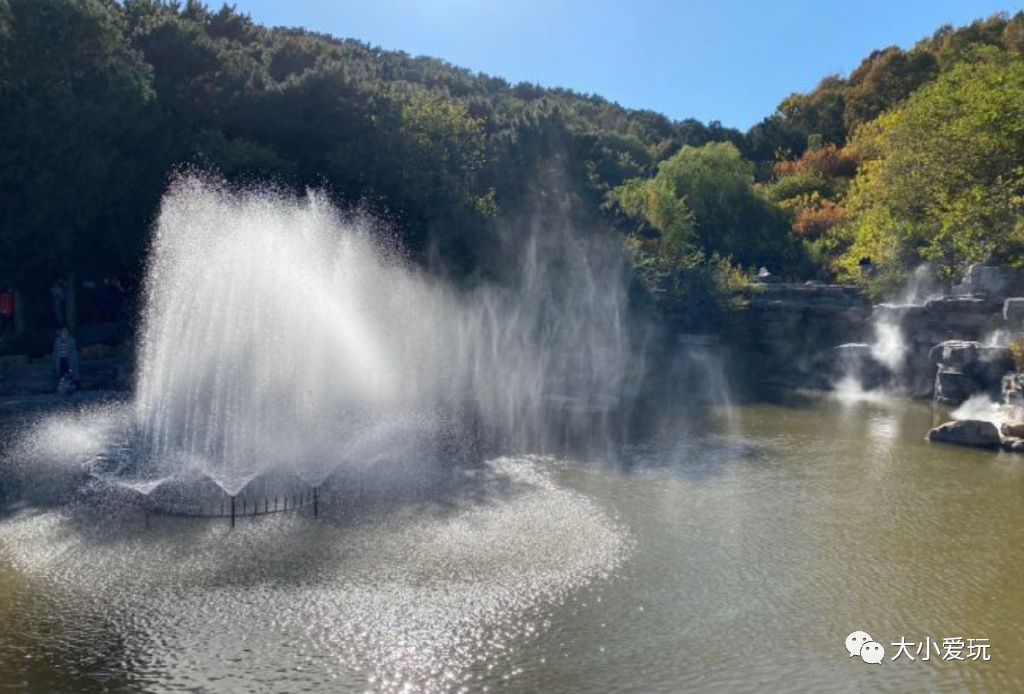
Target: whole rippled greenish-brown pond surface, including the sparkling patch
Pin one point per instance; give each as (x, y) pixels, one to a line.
(733, 559)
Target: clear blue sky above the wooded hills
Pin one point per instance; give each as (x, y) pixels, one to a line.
(731, 61)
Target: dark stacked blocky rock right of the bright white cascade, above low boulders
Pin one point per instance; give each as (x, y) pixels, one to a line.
(968, 368)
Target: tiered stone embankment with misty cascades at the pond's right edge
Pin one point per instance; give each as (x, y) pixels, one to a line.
(950, 348)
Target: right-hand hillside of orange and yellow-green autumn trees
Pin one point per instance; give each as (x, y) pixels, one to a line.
(917, 157)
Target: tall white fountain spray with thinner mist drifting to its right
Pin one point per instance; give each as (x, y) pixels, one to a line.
(280, 335)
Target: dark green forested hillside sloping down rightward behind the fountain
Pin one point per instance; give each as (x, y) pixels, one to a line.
(99, 102)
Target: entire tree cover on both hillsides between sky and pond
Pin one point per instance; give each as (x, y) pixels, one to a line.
(916, 156)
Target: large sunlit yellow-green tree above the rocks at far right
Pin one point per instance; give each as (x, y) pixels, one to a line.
(943, 180)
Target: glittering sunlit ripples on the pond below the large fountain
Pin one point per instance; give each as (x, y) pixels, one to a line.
(433, 597)
